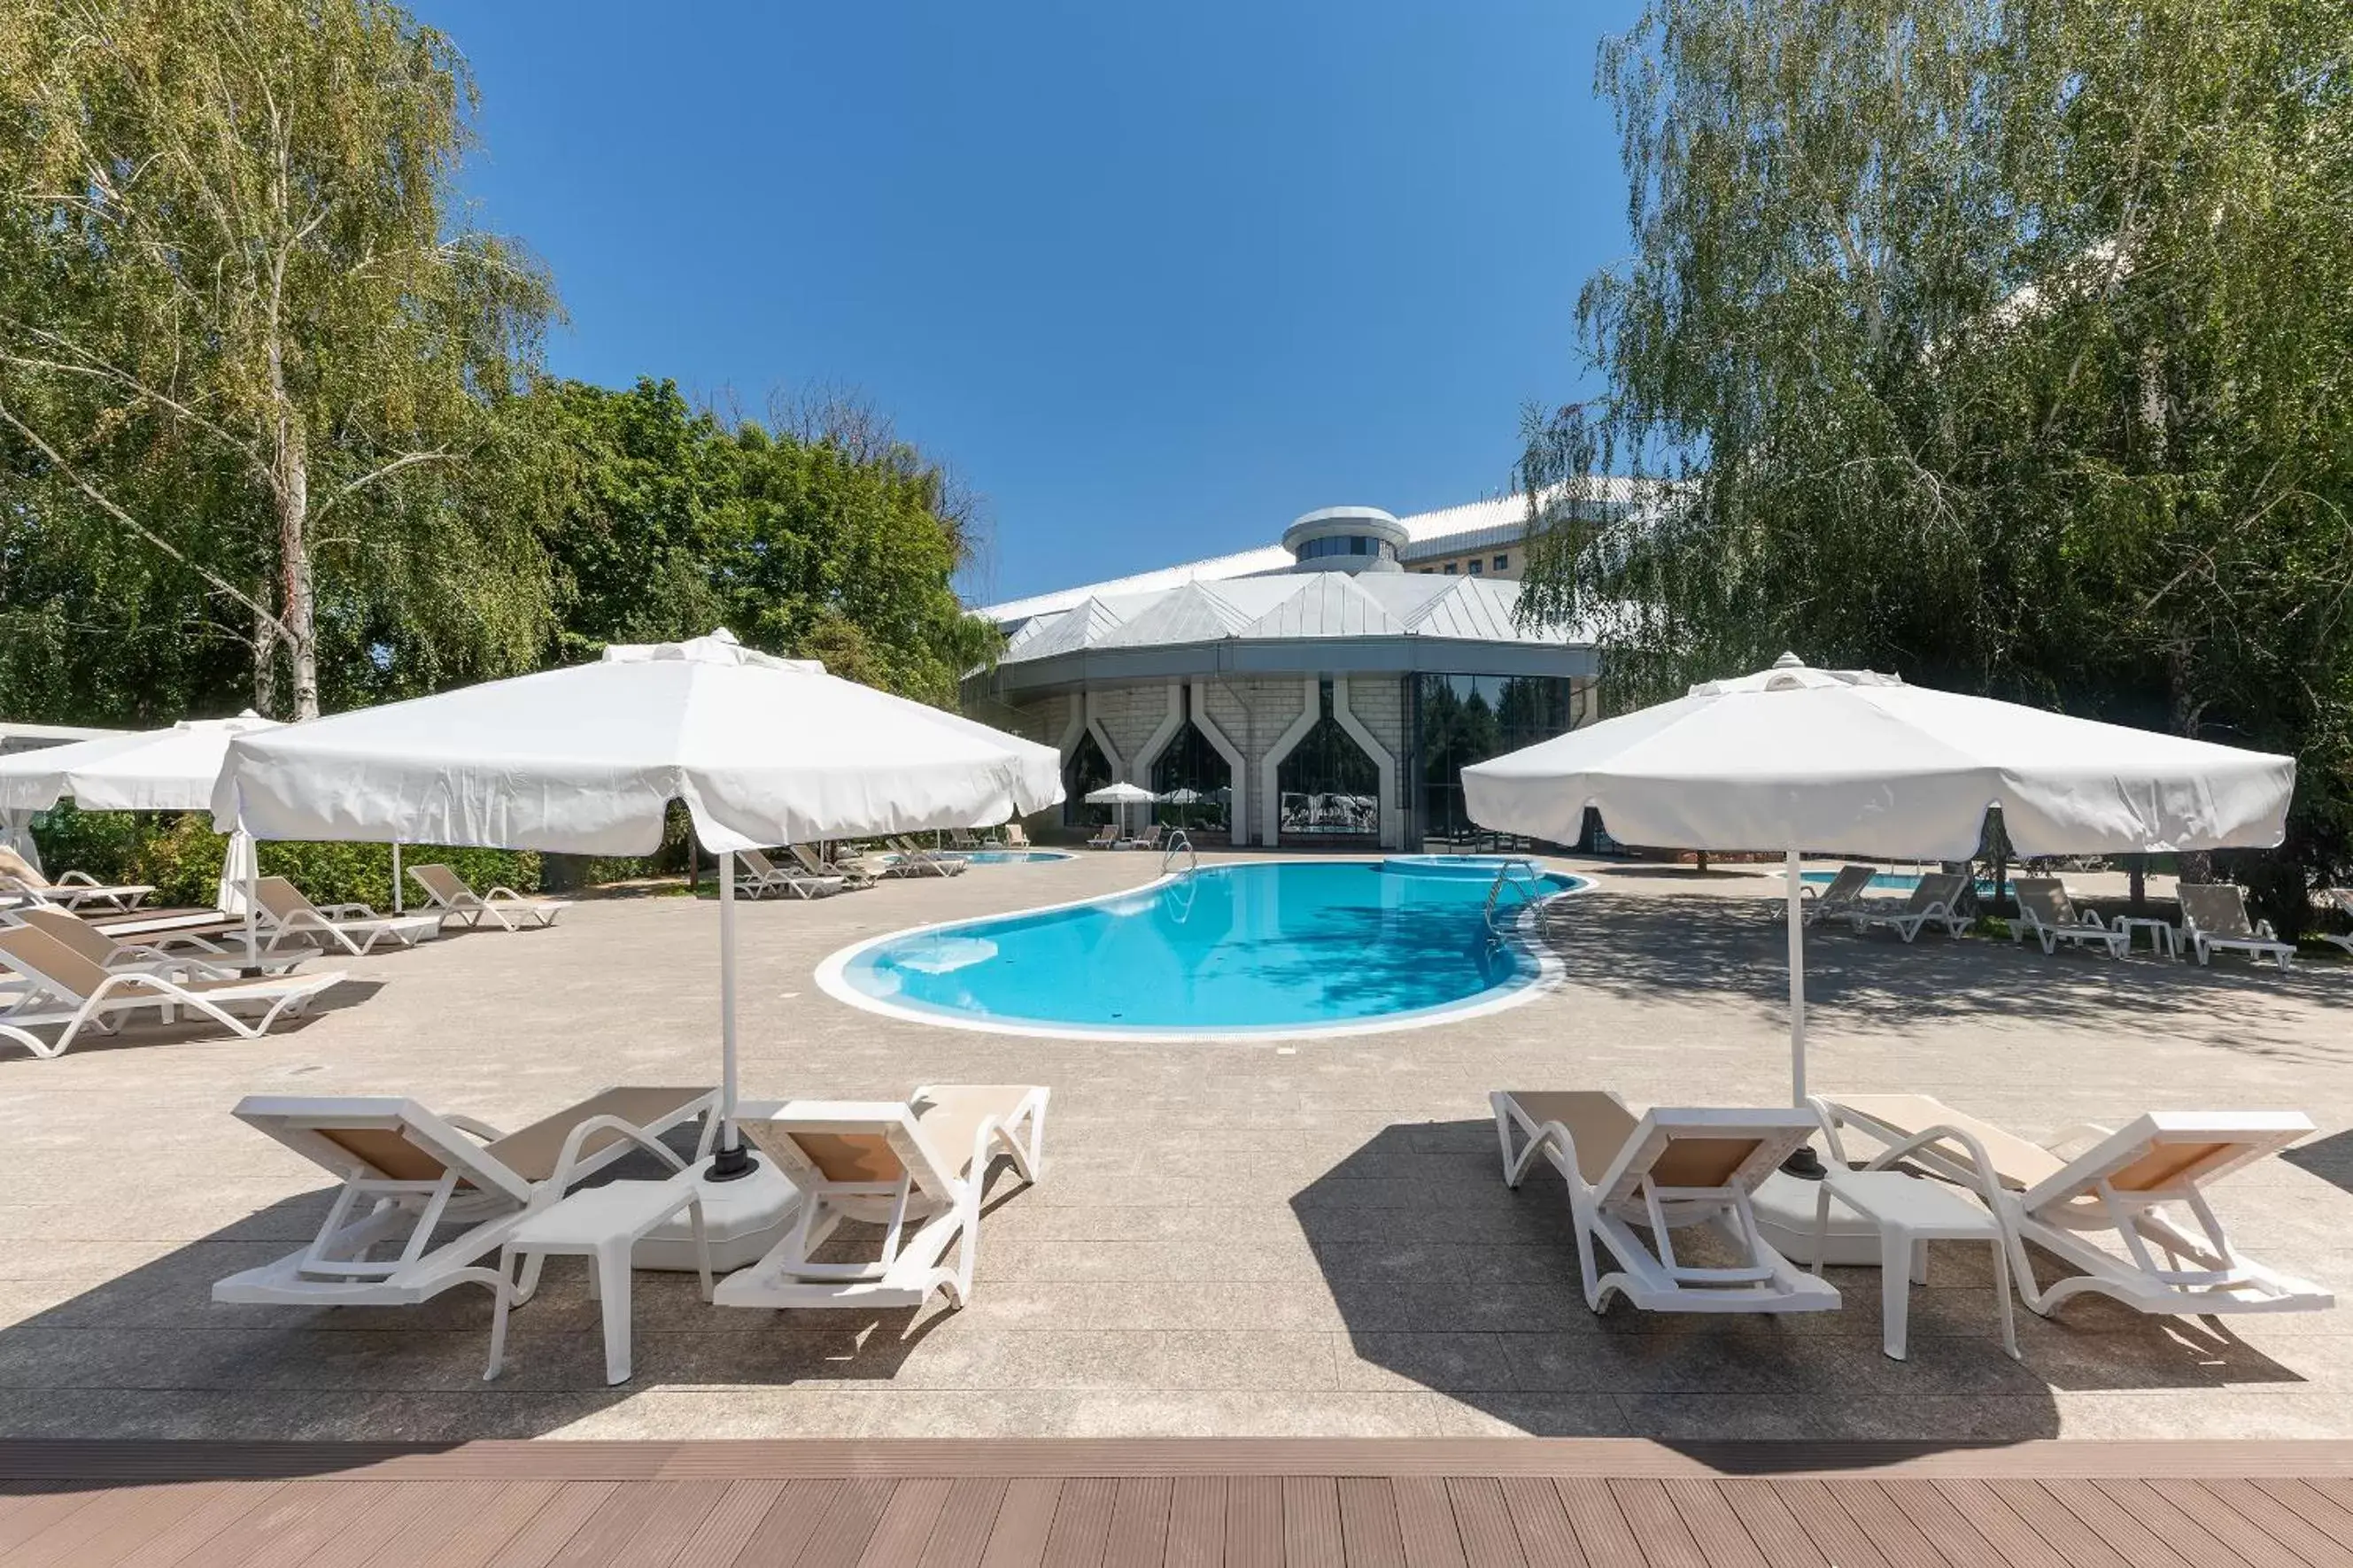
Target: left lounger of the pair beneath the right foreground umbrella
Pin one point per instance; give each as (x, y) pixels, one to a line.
(1665, 1170)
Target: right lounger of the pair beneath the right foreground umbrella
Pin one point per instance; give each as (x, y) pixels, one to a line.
(2095, 1184)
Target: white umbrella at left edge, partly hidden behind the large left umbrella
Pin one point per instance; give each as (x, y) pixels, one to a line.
(154, 770)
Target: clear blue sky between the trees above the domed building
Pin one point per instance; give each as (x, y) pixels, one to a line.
(1154, 279)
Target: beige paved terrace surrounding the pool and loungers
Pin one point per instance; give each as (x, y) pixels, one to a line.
(1232, 1240)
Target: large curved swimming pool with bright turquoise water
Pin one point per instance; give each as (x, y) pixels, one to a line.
(1229, 951)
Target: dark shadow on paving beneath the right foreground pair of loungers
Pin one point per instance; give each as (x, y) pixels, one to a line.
(1453, 1282)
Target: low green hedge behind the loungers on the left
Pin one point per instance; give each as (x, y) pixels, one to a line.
(180, 855)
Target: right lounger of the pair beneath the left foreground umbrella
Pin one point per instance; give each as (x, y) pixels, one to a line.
(919, 1167)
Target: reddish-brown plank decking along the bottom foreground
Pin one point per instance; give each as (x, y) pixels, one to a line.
(700, 1510)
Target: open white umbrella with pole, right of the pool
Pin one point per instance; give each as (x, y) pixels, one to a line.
(1851, 760)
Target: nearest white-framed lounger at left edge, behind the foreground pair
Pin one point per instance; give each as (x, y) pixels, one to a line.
(79, 993)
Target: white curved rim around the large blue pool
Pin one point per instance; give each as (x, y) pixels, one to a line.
(834, 970)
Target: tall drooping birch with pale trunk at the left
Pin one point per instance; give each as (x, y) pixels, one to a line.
(241, 323)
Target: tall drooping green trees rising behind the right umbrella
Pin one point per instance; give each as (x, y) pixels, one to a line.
(1999, 342)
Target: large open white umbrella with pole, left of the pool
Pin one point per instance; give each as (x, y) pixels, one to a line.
(587, 760)
